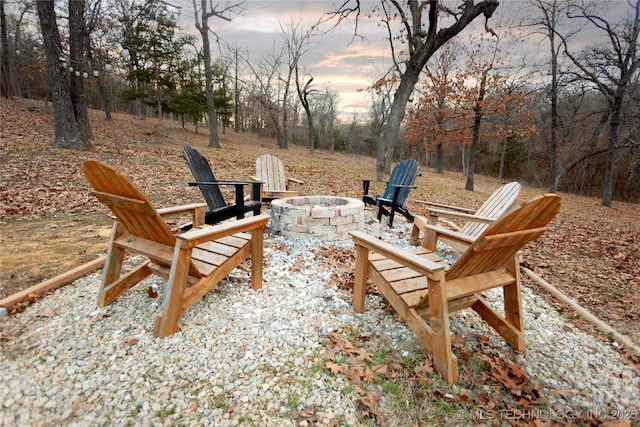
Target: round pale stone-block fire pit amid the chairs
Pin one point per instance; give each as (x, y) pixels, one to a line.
(325, 218)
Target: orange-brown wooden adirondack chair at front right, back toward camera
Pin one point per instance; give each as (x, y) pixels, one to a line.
(424, 290)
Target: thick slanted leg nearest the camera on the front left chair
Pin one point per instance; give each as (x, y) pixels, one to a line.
(167, 321)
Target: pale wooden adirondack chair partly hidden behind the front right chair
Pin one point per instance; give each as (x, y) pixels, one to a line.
(496, 204)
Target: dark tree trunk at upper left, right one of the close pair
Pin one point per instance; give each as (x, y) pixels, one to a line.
(76, 48)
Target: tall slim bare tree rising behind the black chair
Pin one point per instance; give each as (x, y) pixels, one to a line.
(202, 15)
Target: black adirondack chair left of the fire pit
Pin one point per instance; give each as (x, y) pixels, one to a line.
(219, 209)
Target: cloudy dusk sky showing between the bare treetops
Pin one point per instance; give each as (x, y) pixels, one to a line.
(338, 60)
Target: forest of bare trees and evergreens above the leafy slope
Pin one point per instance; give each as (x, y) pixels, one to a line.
(566, 118)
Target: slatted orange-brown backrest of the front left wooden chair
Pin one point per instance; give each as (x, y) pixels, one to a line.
(128, 203)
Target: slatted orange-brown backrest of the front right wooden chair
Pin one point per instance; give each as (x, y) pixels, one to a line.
(506, 236)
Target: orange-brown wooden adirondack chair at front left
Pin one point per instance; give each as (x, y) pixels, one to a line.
(193, 262)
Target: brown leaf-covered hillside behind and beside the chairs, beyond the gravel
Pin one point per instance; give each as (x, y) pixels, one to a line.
(50, 223)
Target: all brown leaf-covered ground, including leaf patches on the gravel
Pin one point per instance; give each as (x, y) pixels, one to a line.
(49, 224)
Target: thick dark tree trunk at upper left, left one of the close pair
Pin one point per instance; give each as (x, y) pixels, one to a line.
(66, 130)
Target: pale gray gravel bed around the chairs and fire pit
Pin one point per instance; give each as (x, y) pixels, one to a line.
(246, 357)
